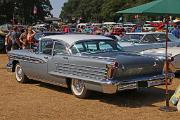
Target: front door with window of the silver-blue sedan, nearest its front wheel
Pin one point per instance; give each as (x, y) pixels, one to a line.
(37, 67)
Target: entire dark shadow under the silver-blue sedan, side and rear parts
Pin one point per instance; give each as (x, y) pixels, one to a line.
(129, 98)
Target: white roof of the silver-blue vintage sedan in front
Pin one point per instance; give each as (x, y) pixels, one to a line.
(72, 38)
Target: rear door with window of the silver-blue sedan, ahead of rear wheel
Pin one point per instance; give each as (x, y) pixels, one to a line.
(58, 65)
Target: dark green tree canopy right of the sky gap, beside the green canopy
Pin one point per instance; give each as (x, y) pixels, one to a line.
(96, 10)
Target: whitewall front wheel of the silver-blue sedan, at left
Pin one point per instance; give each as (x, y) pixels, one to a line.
(20, 76)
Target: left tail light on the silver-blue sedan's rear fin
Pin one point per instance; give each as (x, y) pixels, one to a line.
(110, 69)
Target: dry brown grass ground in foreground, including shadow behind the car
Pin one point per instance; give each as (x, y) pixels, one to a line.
(40, 101)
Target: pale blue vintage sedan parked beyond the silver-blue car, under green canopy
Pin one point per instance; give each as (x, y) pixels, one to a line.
(147, 40)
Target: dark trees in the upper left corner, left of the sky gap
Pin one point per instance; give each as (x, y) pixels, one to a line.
(25, 11)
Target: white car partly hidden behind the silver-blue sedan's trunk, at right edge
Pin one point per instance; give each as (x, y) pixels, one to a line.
(172, 52)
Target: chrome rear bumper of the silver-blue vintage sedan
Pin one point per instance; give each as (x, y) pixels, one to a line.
(112, 86)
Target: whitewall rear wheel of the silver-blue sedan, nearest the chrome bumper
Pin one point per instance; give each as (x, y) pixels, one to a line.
(78, 89)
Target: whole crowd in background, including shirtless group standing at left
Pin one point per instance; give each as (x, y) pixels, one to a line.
(23, 38)
